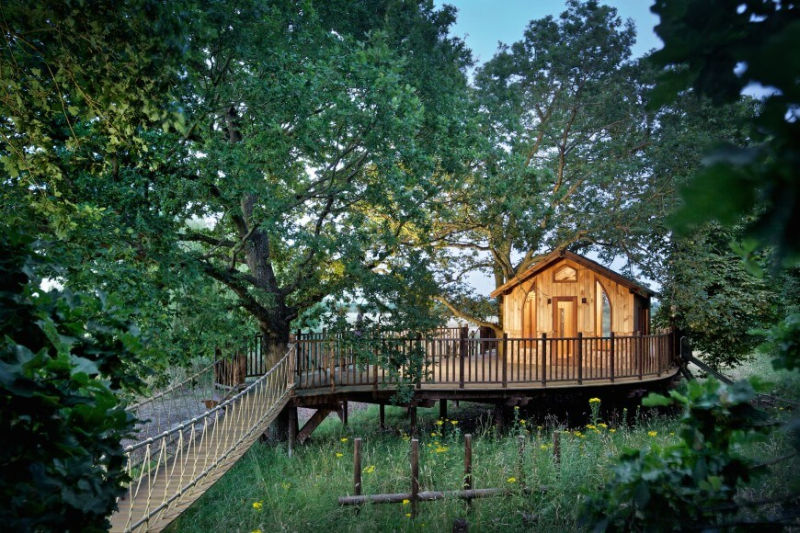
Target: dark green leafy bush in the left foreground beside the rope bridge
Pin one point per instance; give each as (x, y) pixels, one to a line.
(61, 358)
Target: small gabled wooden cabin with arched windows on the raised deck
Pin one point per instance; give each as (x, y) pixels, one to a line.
(565, 294)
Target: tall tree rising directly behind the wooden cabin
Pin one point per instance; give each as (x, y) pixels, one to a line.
(563, 114)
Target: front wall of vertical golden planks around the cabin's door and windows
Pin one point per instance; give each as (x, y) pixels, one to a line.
(620, 297)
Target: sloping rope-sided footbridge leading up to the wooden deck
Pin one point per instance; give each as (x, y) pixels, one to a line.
(170, 470)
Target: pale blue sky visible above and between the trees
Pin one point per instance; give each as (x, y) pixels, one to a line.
(484, 23)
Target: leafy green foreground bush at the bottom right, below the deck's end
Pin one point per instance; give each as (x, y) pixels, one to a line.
(690, 484)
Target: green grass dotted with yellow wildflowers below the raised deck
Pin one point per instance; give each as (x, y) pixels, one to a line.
(269, 491)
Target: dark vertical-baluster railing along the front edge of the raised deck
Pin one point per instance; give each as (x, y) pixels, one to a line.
(465, 361)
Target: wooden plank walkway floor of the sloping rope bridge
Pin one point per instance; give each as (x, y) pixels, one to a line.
(200, 462)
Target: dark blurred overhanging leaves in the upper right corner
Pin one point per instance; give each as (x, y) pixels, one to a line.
(717, 49)
